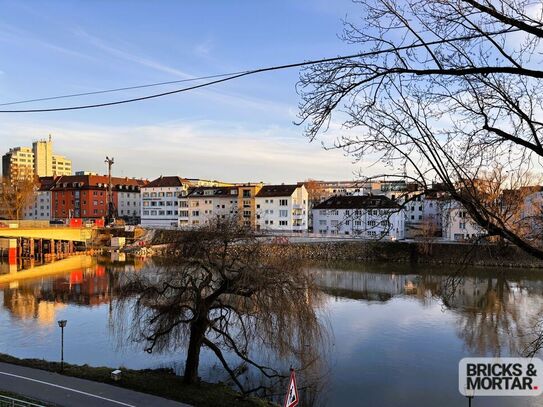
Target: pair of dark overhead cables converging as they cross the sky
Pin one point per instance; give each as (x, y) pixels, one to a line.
(235, 75)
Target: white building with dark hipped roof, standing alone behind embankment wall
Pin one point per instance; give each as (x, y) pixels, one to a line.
(368, 216)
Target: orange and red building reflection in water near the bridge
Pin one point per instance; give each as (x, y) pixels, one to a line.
(41, 299)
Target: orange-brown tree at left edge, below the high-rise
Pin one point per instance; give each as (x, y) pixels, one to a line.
(15, 195)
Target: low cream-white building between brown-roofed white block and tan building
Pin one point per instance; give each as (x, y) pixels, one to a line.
(202, 204)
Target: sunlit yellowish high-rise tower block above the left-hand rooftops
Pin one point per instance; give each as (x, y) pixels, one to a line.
(38, 161)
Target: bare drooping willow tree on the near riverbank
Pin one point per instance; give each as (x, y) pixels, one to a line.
(224, 291)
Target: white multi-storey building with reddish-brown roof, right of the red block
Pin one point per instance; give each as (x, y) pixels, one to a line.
(160, 201)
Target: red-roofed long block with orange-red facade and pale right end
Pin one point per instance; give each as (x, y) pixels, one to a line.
(85, 196)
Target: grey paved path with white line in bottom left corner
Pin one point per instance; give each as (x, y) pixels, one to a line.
(68, 391)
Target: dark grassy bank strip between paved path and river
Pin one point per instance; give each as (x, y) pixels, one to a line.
(161, 382)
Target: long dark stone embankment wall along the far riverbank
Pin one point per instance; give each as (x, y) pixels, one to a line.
(413, 252)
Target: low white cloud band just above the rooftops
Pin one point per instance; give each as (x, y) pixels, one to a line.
(201, 150)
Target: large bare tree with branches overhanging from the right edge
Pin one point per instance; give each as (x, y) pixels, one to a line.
(443, 91)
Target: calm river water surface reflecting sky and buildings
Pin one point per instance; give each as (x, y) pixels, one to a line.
(396, 335)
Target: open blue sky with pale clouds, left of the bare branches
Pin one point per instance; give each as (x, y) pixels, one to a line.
(242, 130)
